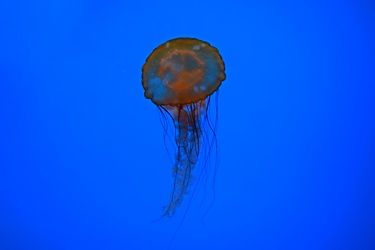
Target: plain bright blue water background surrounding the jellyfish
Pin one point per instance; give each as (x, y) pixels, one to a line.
(82, 159)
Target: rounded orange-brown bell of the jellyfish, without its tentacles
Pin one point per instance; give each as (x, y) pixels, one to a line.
(182, 71)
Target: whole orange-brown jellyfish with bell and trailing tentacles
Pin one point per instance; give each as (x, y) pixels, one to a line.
(179, 77)
